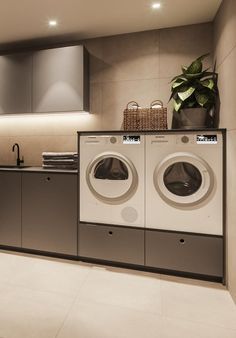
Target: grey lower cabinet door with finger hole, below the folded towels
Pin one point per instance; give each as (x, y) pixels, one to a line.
(49, 212)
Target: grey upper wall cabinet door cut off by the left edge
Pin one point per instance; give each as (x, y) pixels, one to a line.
(15, 83)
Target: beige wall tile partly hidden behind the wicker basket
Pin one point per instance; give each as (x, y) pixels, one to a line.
(116, 95)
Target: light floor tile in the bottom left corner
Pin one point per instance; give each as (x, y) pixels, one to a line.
(26, 313)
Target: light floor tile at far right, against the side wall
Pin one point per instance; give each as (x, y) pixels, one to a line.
(198, 301)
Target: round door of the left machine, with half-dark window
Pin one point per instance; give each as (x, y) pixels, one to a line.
(112, 178)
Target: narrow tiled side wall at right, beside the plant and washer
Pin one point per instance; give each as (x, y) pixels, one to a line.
(225, 50)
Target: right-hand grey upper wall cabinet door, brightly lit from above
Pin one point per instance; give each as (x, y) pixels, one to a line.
(59, 80)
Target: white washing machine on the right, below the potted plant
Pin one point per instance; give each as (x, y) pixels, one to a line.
(184, 182)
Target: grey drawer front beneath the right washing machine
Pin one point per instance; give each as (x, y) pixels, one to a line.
(184, 252)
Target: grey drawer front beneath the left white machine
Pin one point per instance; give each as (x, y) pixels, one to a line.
(111, 243)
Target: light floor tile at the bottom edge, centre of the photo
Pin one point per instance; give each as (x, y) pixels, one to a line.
(93, 320)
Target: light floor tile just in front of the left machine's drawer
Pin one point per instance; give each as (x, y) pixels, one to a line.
(125, 289)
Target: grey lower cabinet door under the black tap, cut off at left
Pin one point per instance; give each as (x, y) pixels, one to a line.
(10, 209)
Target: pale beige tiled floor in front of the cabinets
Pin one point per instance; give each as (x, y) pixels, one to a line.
(51, 298)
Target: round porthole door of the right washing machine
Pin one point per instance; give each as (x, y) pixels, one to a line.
(183, 179)
